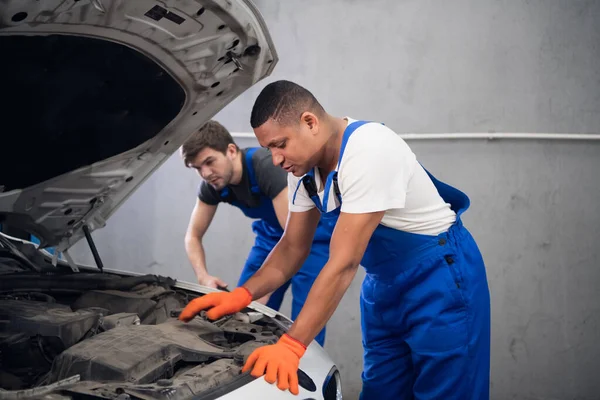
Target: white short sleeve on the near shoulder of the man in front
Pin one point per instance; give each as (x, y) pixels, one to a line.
(376, 168)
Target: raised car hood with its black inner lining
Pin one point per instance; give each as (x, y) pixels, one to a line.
(99, 93)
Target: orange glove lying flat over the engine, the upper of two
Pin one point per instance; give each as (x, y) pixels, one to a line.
(223, 303)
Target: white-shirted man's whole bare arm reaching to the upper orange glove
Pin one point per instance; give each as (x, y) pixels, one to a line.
(287, 256)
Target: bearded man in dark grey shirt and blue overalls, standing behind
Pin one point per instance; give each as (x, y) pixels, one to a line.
(247, 179)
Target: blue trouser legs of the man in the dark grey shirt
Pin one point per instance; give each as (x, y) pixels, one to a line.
(301, 282)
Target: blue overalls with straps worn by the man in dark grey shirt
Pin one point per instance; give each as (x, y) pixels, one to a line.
(268, 232)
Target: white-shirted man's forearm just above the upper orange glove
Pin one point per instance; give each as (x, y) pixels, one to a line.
(279, 267)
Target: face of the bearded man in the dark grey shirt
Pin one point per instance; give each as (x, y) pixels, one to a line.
(215, 167)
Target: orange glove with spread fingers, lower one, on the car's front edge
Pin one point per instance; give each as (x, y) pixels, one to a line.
(281, 362)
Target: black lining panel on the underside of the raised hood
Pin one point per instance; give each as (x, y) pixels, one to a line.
(74, 101)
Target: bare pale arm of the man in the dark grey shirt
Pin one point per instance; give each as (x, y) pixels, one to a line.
(200, 220)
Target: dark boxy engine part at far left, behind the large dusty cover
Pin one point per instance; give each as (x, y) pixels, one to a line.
(36, 318)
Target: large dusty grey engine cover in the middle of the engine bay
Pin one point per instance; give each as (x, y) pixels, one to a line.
(145, 353)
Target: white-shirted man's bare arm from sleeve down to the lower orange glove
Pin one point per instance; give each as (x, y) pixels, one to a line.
(348, 244)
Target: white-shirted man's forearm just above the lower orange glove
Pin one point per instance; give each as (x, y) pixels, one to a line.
(324, 297)
